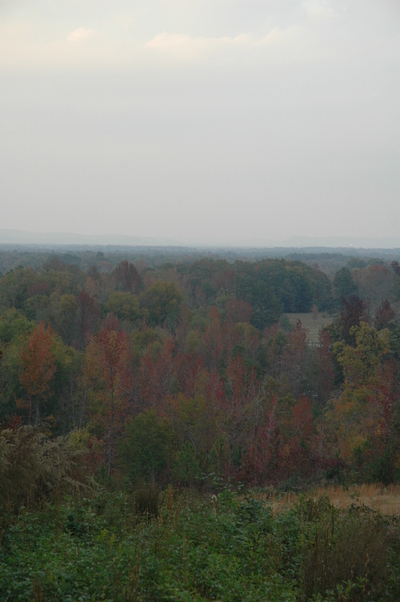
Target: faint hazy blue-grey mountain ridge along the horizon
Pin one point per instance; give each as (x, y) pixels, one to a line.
(21, 237)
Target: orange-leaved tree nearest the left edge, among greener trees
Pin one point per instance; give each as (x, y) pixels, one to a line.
(37, 368)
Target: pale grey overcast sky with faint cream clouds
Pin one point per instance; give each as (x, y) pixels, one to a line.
(212, 121)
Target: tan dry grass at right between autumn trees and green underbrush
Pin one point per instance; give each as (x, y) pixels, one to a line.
(385, 500)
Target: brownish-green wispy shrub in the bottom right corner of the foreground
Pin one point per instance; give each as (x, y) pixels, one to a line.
(342, 547)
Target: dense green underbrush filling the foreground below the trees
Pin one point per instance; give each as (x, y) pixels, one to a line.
(182, 546)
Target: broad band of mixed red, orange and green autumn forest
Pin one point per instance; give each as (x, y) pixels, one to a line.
(191, 371)
